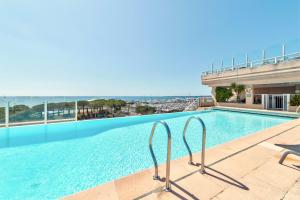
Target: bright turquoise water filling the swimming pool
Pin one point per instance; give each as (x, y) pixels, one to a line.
(50, 161)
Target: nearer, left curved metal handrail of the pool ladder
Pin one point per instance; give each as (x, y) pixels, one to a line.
(156, 177)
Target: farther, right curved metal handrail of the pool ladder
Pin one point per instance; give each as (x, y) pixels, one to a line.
(203, 142)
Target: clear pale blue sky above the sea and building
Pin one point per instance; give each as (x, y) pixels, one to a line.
(132, 47)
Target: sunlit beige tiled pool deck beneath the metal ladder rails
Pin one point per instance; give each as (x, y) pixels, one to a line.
(245, 168)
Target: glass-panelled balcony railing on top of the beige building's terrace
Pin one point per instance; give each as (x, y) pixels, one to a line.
(240, 62)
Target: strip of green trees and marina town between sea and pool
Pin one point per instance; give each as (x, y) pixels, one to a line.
(19, 113)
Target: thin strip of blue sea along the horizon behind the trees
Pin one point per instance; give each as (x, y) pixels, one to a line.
(34, 100)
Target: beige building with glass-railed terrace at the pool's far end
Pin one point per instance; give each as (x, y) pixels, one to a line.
(270, 83)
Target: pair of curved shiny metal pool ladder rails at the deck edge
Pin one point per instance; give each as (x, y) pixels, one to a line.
(168, 162)
